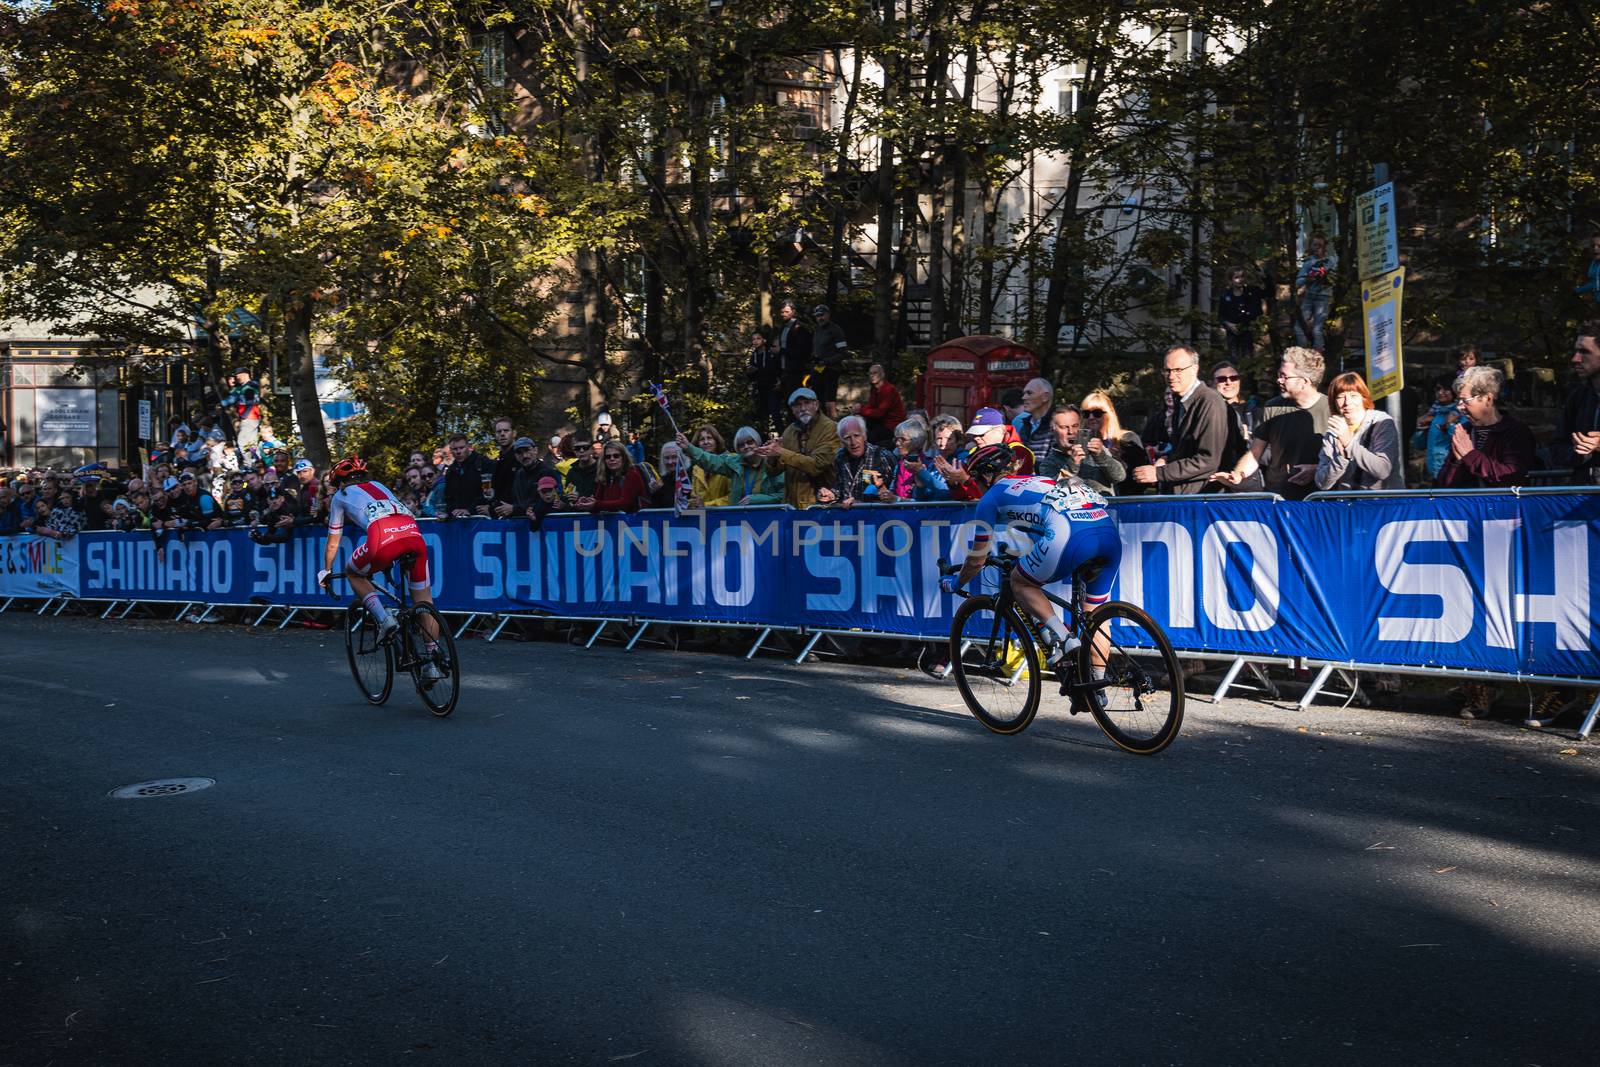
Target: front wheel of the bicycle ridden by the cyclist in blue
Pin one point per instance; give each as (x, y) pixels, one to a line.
(996, 665)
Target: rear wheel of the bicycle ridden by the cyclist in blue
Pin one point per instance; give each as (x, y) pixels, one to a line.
(1143, 701)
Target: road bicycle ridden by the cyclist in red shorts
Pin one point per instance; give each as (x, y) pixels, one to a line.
(375, 658)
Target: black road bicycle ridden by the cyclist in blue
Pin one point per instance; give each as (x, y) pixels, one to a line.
(1138, 700)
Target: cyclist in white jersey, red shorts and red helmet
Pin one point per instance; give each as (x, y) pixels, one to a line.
(391, 533)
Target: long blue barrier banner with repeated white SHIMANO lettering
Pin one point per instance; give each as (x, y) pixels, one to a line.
(1494, 583)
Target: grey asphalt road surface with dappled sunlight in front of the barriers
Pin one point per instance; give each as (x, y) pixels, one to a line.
(674, 858)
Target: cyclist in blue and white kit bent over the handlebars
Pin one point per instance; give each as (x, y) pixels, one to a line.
(1054, 527)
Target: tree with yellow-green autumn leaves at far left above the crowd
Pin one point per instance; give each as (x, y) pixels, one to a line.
(318, 166)
